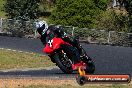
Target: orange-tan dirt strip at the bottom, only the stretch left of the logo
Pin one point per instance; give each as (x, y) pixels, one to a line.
(16, 83)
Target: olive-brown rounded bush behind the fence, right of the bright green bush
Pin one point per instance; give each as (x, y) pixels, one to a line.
(110, 20)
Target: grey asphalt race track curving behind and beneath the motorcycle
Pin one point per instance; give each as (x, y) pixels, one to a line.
(108, 59)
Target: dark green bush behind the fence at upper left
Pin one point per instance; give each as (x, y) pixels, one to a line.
(22, 9)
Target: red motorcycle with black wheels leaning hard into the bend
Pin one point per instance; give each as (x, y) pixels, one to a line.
(63, 54)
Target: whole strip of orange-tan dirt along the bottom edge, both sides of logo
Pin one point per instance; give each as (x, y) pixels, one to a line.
(21, 82)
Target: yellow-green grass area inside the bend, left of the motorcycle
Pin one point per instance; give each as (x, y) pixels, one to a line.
(17, 60)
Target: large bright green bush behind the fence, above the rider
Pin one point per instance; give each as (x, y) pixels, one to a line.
(81, 13)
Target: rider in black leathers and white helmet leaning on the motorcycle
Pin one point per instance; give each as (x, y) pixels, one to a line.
(44, 30)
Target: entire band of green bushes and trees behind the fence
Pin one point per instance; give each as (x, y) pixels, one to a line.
(79, 13)
